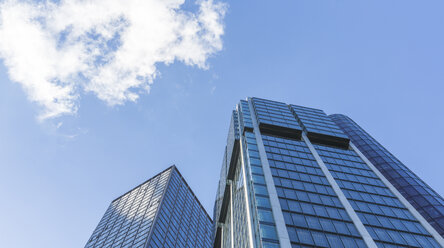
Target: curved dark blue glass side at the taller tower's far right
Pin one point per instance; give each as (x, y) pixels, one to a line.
(429, 203)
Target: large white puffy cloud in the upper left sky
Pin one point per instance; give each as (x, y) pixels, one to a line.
(59, 49)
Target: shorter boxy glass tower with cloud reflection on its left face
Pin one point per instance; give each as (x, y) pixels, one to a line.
(161, 212)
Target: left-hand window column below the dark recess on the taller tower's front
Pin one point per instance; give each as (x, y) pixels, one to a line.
(312, 212)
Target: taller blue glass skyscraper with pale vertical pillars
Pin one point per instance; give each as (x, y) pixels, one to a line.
(292, 178)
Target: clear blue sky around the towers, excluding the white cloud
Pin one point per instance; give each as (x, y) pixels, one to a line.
(379, 62)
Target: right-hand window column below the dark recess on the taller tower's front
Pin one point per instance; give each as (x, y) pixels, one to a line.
(387, 221)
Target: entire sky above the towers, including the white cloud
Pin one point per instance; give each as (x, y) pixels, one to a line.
(87, 115)
